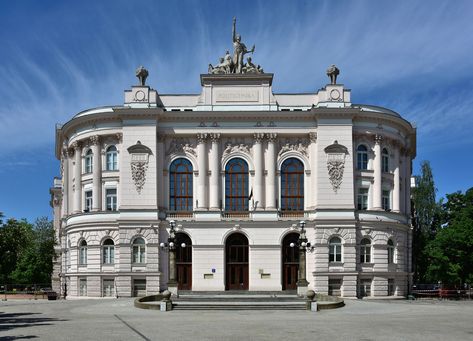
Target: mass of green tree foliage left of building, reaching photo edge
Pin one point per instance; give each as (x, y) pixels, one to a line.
(27, 251)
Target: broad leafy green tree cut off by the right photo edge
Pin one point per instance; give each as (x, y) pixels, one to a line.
(450, 254)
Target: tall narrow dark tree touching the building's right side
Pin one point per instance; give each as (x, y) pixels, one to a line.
(426, 219)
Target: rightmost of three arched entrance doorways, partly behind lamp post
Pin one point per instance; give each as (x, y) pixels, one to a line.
(290, 261)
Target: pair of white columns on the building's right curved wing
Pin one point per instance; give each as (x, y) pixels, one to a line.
(378, 178)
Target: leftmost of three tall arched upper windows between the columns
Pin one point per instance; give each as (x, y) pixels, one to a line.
(180, 185)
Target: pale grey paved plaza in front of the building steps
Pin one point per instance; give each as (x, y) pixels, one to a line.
(118, 320)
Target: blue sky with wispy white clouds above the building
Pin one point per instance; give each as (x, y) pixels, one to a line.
(60, 57)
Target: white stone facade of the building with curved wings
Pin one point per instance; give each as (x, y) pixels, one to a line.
(116, 188)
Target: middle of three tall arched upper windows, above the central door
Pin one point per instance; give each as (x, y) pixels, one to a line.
(236, 185)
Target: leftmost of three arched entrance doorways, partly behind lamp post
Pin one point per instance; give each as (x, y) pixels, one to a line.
(183, 262)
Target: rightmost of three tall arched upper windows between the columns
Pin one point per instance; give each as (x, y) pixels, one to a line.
(292, 185)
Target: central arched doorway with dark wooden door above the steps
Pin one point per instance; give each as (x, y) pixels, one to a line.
(236, 256)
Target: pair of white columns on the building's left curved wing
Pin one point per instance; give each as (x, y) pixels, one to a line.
(96, 175)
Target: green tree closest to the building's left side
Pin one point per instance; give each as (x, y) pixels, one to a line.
(35, 265)
